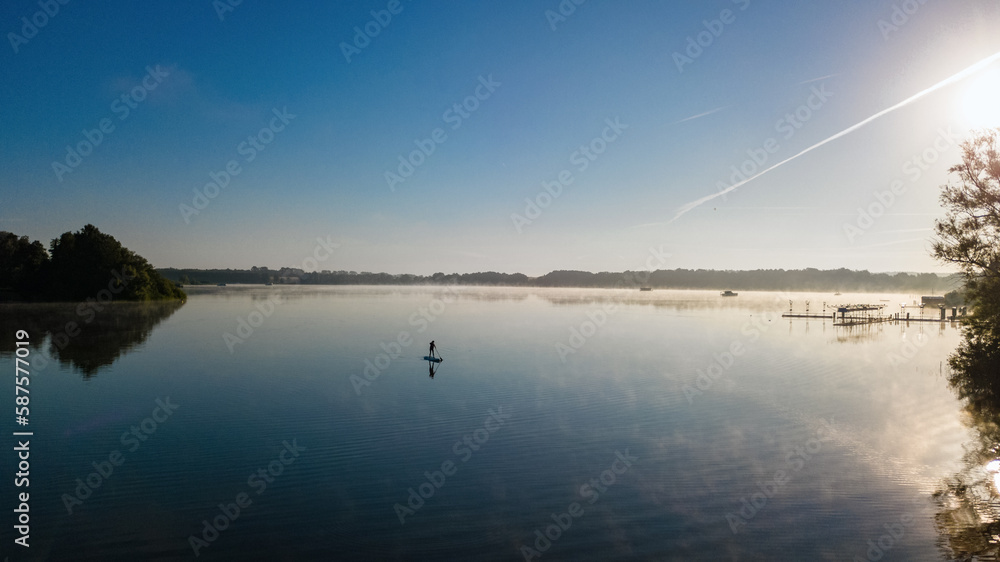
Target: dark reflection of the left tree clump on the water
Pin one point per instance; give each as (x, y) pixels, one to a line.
(86, 342)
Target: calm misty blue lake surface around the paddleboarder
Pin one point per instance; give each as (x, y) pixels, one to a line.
(301, 423)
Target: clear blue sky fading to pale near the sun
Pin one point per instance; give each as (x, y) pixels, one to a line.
(684, 123)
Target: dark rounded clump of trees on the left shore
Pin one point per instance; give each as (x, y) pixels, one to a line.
(77, 266)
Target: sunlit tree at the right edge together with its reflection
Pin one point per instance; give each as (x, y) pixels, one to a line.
(969, 237)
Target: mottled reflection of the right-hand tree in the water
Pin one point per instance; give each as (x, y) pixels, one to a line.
(969, 503)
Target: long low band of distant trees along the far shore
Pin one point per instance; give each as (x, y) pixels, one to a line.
(756, 280)
